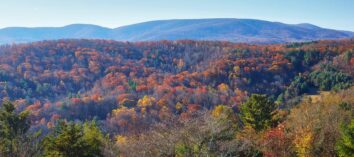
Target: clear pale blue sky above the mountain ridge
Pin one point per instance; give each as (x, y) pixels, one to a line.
(337, 14)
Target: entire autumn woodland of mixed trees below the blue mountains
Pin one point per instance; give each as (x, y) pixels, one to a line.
(176, 98)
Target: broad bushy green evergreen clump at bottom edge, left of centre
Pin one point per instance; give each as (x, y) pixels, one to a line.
(74, 140)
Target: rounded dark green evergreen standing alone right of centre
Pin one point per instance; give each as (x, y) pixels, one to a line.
(258, 112)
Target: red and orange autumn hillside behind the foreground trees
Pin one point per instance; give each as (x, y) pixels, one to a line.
(195, 73)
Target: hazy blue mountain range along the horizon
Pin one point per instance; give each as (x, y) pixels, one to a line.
(234, 30)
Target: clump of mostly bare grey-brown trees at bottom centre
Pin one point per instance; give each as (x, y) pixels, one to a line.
(206, 134)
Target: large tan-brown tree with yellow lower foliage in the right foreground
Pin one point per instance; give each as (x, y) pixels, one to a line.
(313, 126)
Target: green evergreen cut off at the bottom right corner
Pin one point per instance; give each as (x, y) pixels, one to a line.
(345, 145)
